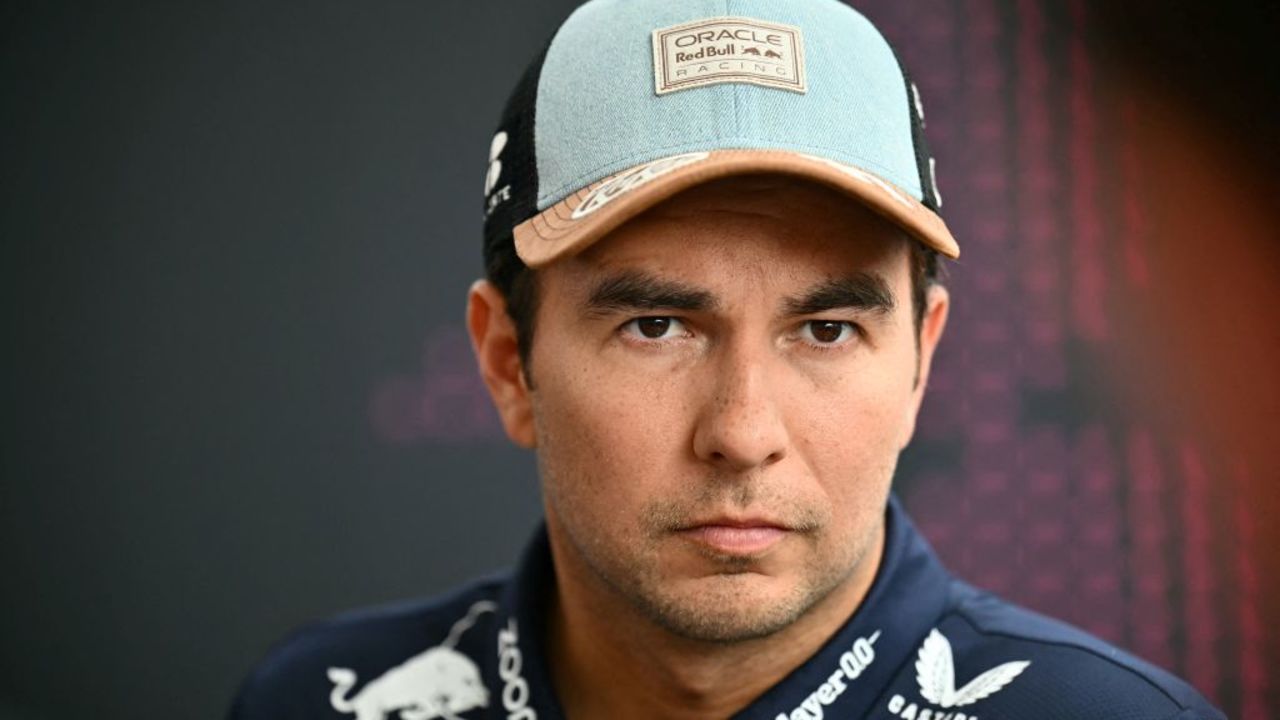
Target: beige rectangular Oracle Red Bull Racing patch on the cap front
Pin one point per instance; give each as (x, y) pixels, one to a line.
(716, 51)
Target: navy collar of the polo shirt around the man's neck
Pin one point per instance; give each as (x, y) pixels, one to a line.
(906, 600)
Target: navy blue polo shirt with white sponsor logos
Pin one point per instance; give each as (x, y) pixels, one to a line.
(922, 646)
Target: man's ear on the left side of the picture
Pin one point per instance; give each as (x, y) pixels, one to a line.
(493, 338)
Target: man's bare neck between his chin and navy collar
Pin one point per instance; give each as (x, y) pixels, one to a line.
(611, 660)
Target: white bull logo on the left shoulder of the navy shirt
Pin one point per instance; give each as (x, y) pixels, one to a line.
(440, 682)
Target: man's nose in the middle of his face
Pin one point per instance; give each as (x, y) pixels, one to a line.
(742, 426)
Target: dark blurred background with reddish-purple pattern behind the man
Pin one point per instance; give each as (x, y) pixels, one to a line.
(237, 239)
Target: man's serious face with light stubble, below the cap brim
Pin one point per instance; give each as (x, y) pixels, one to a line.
(720, 393)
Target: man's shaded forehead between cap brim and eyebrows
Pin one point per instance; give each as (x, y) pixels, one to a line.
(758, 227)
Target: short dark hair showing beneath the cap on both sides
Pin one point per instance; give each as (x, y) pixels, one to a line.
(519, 288)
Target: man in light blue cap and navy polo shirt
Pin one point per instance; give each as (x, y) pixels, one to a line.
(712, 244)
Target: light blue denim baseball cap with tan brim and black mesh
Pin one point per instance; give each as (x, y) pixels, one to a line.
(634, 101)
